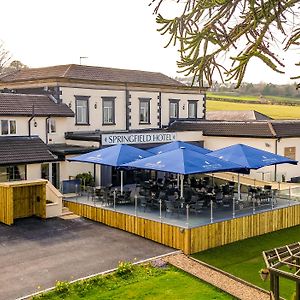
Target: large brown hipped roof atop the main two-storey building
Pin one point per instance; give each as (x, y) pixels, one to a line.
(91, 73)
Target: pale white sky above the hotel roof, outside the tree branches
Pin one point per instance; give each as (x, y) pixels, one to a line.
(109, 33)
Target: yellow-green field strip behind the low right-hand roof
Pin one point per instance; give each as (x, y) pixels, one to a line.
(274, 111)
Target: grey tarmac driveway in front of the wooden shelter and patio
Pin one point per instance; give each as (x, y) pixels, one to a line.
(34, 253)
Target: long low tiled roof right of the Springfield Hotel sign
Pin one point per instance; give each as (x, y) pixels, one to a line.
(261, 129)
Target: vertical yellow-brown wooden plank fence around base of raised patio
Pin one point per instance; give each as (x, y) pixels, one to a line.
(196, 239)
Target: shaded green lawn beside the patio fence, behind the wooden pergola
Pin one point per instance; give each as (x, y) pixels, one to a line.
(244, 258)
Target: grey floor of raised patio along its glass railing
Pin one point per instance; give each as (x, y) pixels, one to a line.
(187, 216)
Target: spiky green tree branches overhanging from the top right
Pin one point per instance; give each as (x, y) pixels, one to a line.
(244, 29)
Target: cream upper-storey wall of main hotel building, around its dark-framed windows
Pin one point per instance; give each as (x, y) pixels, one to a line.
(68, 97)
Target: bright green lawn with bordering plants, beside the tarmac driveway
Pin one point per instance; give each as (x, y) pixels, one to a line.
(143, 282)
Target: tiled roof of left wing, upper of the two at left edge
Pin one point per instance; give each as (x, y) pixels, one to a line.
(26, 104)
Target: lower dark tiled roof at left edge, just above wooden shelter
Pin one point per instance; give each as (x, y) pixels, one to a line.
(23, 150)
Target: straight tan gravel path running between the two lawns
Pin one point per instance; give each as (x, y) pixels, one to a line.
(220, 280)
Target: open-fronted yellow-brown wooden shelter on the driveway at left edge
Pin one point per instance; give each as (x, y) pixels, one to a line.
(20, 199)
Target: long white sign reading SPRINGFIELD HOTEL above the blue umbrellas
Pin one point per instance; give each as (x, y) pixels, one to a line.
(138, 138)
